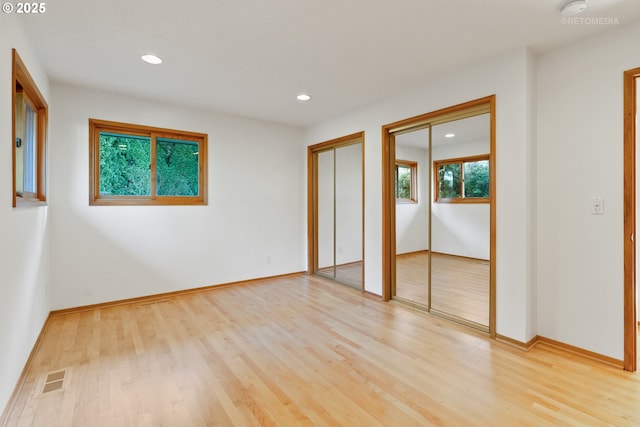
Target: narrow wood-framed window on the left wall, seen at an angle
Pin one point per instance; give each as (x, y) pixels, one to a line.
(29, 128)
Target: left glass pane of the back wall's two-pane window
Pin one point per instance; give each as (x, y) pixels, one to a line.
(124, 165)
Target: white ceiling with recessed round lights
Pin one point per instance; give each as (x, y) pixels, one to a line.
(252, 57)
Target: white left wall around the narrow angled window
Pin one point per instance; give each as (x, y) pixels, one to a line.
(24, 241)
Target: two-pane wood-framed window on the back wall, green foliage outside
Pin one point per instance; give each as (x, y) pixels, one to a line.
(142, 165)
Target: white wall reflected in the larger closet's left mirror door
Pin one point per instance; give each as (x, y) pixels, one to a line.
(412, 219)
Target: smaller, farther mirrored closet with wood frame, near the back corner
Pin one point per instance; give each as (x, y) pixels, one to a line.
(336, 210)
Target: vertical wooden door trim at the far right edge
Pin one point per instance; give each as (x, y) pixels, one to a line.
(631, 107)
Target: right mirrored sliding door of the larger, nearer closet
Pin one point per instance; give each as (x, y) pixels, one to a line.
(460, 219)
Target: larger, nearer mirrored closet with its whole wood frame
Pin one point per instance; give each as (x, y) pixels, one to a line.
(439, 250)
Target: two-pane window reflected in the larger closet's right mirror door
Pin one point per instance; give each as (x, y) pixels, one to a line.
(462, 180)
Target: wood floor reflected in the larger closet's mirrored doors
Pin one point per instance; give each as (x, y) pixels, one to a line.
(460, 286)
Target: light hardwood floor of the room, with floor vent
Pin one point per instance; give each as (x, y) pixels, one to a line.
(303, 351)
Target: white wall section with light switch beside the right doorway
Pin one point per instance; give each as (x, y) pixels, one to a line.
(580, 156)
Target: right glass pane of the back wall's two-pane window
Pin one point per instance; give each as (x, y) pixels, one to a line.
(177, 166)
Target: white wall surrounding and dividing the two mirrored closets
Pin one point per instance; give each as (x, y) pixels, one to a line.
(507, 77)
